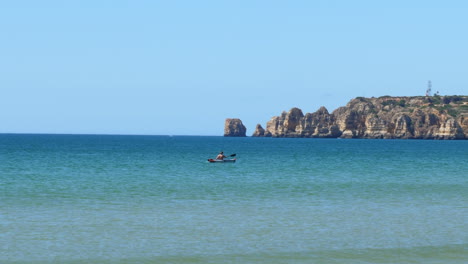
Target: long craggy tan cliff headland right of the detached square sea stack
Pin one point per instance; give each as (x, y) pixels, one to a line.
(384, 117)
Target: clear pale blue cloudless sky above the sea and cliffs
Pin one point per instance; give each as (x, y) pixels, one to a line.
(182, 67)
